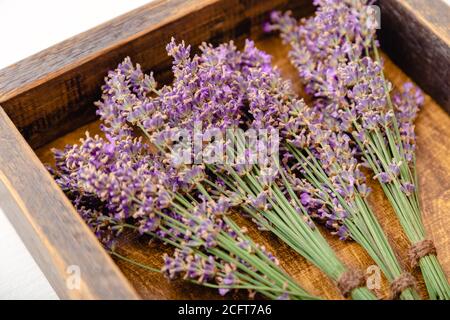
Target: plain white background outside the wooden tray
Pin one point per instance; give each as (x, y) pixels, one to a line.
(27, 27)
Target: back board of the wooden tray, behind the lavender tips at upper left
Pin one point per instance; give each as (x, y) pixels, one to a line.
(50, 93)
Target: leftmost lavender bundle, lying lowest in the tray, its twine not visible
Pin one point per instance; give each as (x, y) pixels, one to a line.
(116, 184)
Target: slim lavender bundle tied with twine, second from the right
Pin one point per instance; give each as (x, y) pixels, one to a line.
(330, 185)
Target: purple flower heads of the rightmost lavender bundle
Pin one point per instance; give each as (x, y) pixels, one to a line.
(335, 63)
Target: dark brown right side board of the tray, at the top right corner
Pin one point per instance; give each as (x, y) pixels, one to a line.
(416, 35)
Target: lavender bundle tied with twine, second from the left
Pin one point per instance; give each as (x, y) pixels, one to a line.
(208, 97)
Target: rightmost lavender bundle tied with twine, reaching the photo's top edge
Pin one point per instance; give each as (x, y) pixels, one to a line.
(337, 57)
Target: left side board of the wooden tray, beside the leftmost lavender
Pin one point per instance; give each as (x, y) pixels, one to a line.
(49, 225)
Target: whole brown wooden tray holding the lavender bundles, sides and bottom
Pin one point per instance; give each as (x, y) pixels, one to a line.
(47, 101)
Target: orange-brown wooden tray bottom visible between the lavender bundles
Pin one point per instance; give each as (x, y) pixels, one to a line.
(434, 172)
